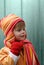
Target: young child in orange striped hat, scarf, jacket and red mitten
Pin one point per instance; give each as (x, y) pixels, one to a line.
(17, 50)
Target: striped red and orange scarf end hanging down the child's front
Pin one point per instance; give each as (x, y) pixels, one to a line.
(31, 57)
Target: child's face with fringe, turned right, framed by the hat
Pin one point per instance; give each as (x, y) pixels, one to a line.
(19, 31)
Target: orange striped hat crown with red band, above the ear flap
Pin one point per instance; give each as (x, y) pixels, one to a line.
(8, 23)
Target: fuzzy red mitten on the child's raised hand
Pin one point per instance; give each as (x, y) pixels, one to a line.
(16, 47)
